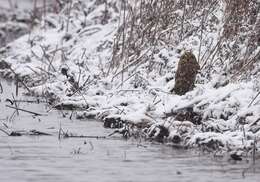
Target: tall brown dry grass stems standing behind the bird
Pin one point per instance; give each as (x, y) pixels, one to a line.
(148, 25)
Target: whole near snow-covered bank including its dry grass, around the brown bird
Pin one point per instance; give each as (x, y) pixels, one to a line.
(110, 61)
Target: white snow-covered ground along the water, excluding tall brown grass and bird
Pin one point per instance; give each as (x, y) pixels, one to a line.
(67, 58)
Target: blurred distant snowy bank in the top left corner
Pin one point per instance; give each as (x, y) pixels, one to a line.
(18, 18)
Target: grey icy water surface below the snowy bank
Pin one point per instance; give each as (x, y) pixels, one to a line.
(48, 159)
